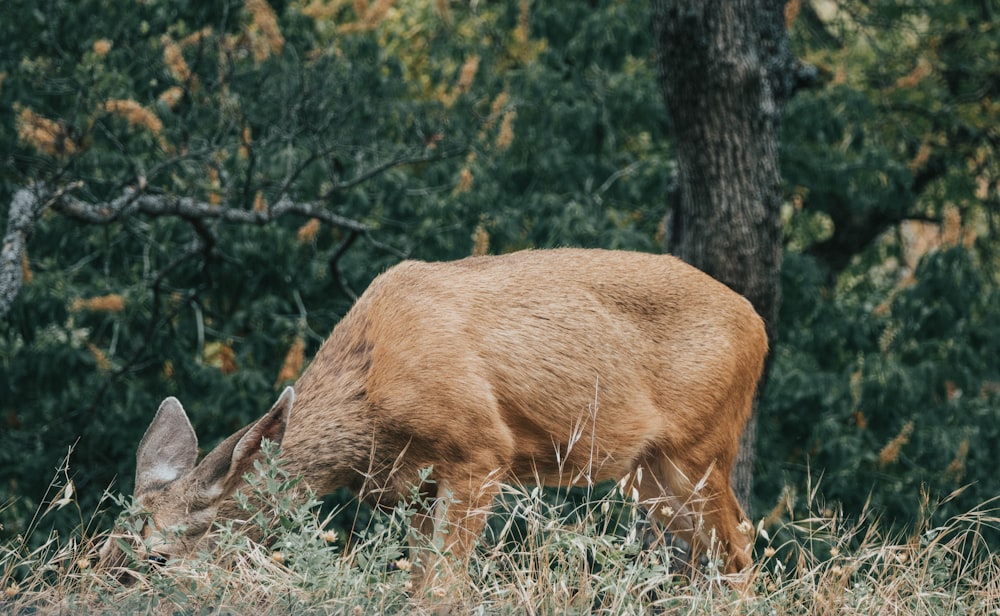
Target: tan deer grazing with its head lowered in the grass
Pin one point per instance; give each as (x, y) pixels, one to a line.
(488, 370)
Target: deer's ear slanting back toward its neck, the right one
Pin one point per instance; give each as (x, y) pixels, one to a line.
(222, 470)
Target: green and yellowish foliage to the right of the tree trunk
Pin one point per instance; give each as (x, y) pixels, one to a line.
(885, 377)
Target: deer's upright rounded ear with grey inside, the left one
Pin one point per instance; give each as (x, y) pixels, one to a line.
(168, 450)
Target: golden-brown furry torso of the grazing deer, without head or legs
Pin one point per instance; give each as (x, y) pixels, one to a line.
(599, 354)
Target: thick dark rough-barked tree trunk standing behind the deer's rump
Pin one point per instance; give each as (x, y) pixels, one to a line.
(725, 72)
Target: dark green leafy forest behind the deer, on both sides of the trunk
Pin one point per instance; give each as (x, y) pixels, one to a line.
(305, 146)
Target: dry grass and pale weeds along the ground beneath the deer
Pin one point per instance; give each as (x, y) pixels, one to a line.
(538, 557)
